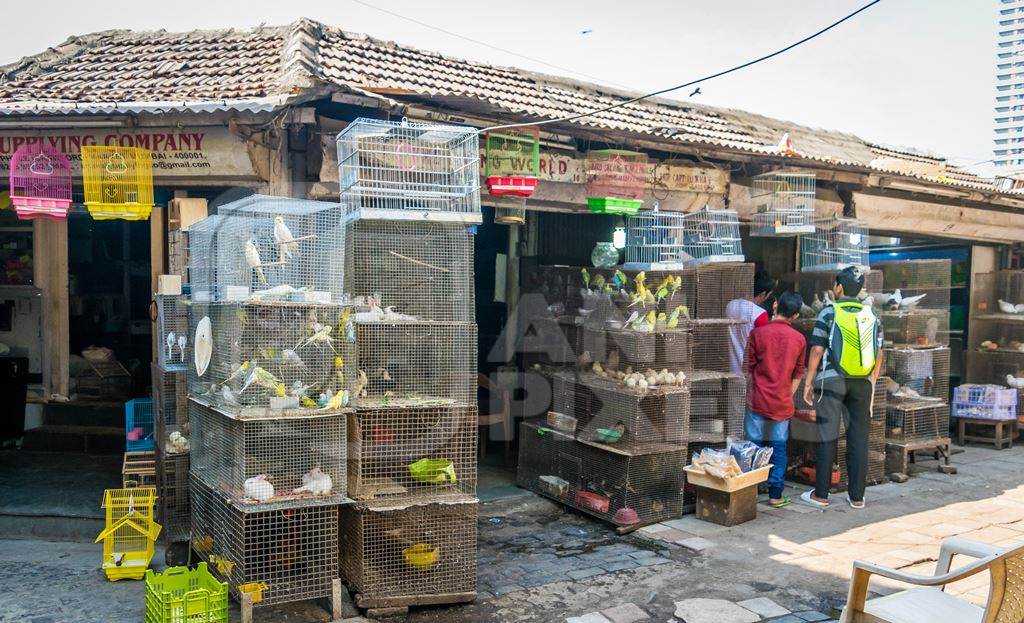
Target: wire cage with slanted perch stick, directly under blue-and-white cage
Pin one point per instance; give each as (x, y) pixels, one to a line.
(413, 272)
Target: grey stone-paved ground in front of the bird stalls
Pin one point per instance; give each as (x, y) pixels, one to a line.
(540, 562)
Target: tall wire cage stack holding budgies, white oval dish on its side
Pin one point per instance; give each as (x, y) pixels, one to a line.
(272, 370)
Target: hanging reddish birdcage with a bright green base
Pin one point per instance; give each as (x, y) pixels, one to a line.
(616, 181)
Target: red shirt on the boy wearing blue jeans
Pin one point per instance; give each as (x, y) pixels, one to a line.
(777, 356)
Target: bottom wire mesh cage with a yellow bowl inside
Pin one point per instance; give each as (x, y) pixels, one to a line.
(391, 555)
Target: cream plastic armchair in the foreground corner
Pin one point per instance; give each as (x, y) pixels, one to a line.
(930, 603)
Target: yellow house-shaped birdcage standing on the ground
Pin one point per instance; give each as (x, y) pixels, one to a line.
(131, 533)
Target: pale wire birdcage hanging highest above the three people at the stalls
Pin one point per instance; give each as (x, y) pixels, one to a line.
(785, 203)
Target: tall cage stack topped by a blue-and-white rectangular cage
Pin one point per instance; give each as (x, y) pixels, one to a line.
(411, 193)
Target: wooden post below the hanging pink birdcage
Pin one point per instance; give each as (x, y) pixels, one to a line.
(51, 257)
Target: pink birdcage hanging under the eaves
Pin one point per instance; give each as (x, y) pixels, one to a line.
(40, 183)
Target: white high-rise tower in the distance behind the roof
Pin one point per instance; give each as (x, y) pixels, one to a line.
(1009, 128)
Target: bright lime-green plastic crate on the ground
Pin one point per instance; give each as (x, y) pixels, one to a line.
(184, 596)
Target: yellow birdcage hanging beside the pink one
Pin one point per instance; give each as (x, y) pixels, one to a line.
(118, 182)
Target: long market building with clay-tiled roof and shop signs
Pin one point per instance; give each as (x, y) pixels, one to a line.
(227, 114)
